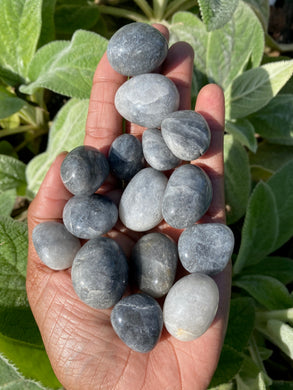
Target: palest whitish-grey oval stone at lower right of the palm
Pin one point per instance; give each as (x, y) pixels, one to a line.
(190, 306)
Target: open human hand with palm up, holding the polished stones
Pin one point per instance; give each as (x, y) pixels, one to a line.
(84, 351)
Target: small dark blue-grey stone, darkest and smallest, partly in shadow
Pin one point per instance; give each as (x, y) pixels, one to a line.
(125, 156)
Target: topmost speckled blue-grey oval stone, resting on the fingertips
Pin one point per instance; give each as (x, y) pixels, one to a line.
(137, 48)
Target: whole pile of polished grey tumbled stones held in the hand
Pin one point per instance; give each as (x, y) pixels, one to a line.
(100, 270)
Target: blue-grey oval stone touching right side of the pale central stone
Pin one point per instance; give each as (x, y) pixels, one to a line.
(187, 197)
